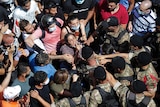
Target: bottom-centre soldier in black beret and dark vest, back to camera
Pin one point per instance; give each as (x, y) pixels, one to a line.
(103, 94)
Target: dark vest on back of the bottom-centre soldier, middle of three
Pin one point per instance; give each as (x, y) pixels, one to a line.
(108, 99)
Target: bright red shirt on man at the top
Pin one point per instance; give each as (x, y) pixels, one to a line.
(121, 14)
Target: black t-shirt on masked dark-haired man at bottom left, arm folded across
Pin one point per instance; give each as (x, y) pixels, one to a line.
(44, 93)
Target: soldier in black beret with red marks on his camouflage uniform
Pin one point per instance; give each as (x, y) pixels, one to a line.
(147, 73)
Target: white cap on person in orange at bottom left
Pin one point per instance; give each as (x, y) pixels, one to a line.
(11, 92)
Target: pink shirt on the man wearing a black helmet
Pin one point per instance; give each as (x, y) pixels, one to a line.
(51, 39)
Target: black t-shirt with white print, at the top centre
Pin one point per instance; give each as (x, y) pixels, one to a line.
(81, 10)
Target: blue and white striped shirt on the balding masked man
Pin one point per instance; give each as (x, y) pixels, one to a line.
(143, 23)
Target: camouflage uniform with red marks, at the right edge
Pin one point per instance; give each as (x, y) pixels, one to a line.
(149, 77)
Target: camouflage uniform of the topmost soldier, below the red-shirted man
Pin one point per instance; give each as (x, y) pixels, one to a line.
(124, 38)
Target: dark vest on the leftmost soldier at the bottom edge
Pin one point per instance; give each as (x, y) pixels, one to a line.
(81, 104)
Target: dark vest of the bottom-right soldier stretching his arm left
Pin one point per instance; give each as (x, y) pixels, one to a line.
(131, 101)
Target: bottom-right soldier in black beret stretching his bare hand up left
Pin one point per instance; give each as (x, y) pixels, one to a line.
(136, 92)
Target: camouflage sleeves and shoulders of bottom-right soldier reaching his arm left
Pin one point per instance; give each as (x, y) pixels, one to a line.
(122, 91)
